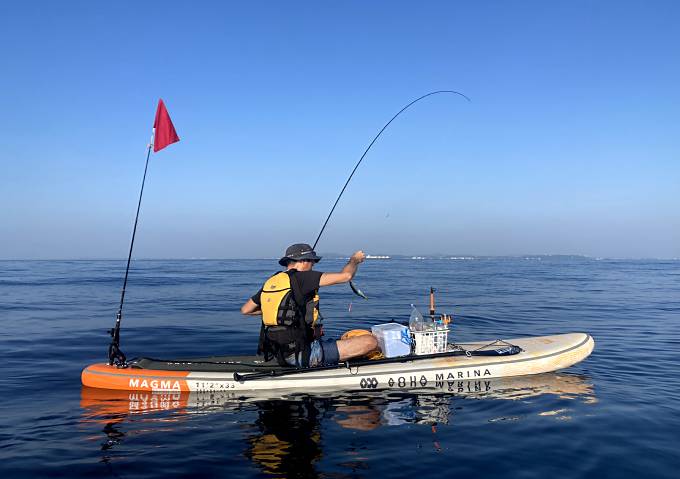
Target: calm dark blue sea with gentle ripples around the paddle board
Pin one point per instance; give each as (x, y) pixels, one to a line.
(617, 414)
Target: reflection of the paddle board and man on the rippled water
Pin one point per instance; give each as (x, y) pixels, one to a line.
(287, 431)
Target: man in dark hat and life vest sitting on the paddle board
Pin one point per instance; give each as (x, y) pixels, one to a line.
(289, 304)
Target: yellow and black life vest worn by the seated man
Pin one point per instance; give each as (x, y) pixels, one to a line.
(287, 322)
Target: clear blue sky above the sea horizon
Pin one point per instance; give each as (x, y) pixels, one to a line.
(570, 144)
